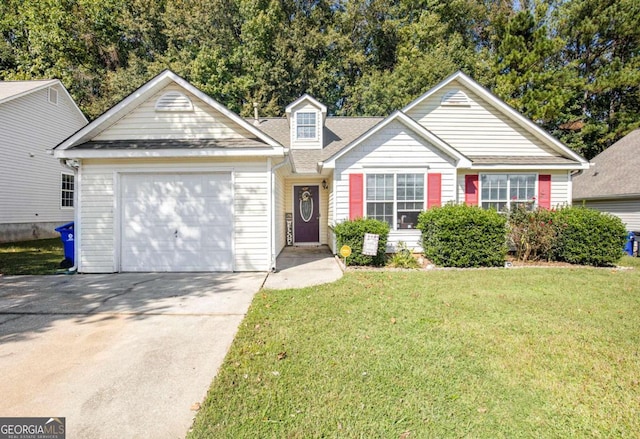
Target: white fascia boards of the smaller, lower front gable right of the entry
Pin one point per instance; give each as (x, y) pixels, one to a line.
(427, 135)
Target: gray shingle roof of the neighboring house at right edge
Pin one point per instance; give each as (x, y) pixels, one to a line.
(616, 172)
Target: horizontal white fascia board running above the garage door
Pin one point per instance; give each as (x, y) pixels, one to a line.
(174, 153)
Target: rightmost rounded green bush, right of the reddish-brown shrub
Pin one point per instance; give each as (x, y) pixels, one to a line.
(588, 237)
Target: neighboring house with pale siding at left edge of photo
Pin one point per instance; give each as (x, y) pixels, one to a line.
(36, 191)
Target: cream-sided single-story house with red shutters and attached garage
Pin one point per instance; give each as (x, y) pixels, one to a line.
(171, 180)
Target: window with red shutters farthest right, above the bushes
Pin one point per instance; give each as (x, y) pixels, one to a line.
(501, 191)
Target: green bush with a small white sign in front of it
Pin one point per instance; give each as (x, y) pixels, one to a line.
(352, 232)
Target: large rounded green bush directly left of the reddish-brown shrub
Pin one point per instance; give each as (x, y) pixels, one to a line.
(457, 235)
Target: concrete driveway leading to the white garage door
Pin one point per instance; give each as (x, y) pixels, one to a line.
(118, 355)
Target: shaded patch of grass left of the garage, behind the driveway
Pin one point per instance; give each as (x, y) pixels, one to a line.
(42, 256)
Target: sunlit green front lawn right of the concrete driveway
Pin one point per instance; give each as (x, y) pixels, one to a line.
(505, 353)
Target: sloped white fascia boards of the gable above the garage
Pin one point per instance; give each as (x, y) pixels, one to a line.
(162, 80)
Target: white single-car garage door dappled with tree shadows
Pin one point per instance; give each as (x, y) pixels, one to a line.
(176, 222)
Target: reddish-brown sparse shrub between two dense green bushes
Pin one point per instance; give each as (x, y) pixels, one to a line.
(531, 233)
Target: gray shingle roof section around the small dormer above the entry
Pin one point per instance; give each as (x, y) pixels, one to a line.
(338, 133)
